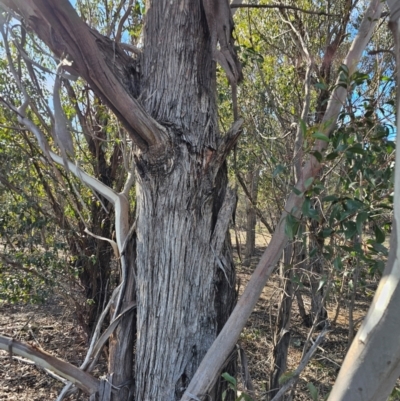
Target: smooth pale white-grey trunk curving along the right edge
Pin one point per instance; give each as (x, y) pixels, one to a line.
(372, 365)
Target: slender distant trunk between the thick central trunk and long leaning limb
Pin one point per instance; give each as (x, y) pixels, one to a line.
(251, 216)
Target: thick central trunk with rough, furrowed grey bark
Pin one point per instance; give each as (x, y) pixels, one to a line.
(185, 273)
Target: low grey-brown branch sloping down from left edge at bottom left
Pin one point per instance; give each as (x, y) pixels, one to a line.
(81, 379)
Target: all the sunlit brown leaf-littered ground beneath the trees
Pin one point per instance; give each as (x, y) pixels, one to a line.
(53, 327)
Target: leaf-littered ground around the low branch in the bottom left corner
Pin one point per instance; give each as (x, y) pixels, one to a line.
(51, 327)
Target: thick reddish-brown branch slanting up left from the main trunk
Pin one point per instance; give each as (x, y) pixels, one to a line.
(100, 61)
